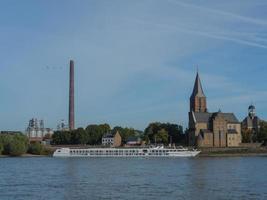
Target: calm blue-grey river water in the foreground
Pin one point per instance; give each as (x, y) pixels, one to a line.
(133, 178)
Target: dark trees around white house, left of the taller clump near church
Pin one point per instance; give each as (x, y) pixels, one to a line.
(91, 135)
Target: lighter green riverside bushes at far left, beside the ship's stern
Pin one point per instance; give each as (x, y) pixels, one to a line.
(18, 144)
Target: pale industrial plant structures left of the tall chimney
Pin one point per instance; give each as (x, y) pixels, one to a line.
(36, 130)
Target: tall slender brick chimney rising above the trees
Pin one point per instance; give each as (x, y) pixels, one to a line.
(71, 97)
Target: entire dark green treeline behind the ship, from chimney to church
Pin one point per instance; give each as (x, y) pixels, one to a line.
(163, 133)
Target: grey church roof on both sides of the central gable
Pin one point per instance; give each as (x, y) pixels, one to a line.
(205, 117)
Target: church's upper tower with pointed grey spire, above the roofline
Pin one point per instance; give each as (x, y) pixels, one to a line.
(198, 101)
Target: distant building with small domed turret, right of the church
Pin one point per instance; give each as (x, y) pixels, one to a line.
(252, 122)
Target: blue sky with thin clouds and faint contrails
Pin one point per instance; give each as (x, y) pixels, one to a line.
(135, 61)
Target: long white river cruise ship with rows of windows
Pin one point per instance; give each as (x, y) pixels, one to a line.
(126, 152)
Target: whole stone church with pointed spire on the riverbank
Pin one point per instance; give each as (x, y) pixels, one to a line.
(208, 129)
